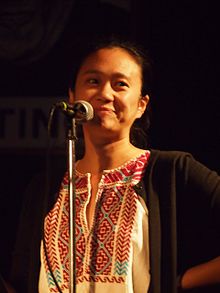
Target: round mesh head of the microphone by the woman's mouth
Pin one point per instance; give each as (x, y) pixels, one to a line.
(83, 111)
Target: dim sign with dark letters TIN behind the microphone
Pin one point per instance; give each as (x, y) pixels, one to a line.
(24, 123)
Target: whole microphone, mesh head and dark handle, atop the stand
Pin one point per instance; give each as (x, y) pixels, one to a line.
(81, 110)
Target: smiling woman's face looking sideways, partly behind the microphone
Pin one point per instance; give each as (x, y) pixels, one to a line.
(110, 80)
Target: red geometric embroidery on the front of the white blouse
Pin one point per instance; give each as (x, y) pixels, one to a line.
(103, 253)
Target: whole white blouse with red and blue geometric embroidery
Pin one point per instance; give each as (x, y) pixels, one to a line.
(113, 256)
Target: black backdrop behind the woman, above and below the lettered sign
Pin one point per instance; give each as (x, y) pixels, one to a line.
(36, 43)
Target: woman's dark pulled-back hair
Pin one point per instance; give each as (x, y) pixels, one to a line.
(139, 130)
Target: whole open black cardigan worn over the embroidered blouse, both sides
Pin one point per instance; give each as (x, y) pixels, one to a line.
(175, 188)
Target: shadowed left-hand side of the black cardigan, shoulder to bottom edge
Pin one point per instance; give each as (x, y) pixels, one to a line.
(39, 197)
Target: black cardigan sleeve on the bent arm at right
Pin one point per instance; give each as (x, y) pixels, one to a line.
(198, 211)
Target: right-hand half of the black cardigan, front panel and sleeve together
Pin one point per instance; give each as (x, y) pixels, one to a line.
(186, 195)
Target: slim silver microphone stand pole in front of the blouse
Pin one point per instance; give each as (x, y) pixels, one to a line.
(71, 135)
